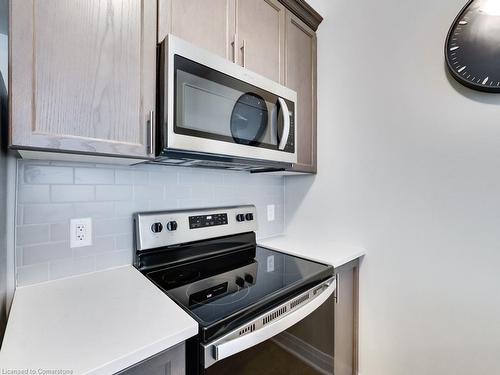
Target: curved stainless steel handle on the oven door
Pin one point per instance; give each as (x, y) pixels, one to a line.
(228, 348)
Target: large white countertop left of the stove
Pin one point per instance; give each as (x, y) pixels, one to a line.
(97, 323)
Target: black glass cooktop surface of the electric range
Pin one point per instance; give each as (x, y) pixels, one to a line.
(224, 290)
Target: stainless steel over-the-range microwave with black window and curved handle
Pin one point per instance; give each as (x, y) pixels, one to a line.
(215, 113)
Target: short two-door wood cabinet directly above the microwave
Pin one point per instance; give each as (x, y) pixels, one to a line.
(247, 32)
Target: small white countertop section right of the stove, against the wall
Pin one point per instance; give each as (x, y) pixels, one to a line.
(318, 248)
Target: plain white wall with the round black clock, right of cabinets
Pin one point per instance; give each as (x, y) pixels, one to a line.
(409, 169)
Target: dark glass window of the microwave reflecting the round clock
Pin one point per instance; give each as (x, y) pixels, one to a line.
(212, 105)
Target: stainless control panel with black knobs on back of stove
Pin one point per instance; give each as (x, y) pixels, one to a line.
(165, 228)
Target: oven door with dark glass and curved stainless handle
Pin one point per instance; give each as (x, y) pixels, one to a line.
(279, 338)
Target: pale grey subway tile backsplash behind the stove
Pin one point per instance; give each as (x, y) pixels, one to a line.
(51, 193)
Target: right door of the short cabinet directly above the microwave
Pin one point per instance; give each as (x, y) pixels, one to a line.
(260, 30)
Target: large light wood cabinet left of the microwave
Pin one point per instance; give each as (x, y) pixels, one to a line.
(83, 76)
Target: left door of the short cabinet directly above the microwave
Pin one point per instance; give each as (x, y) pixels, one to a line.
(207, 24)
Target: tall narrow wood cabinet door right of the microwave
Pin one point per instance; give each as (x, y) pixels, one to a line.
(300, 75)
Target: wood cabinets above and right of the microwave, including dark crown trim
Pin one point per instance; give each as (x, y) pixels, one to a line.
(275, 38)
